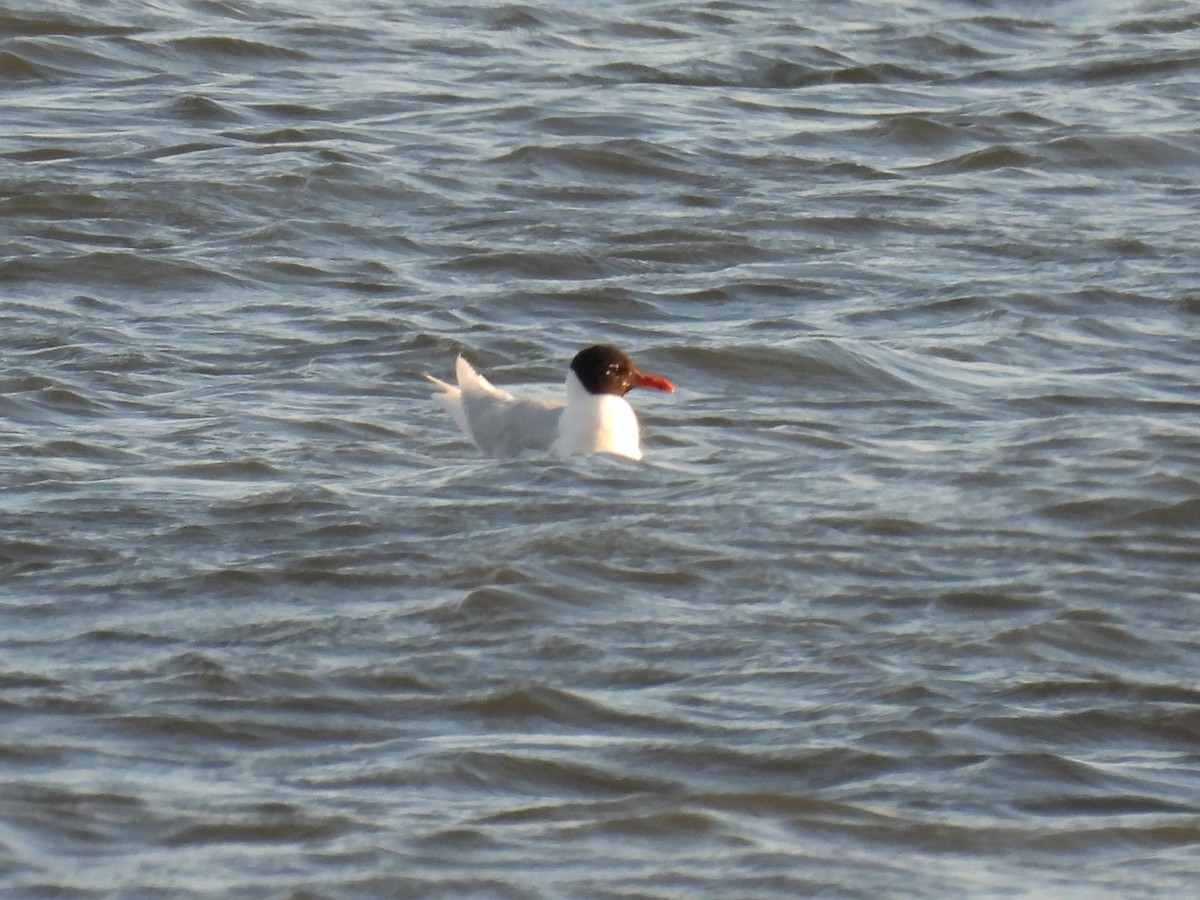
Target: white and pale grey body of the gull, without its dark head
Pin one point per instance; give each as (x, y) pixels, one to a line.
(502, 425)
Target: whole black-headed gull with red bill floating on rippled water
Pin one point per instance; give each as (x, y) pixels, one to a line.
(596, 419)
